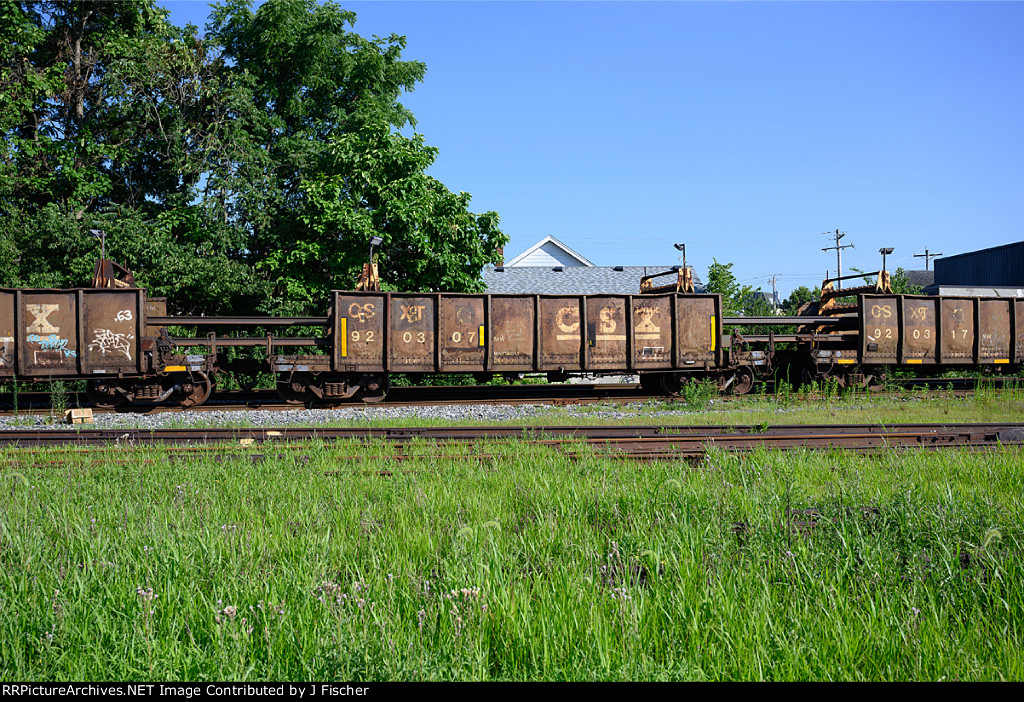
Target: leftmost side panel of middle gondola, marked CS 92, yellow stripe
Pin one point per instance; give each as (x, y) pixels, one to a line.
(360, 333)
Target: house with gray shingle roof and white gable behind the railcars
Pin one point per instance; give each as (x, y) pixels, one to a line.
(549, 268)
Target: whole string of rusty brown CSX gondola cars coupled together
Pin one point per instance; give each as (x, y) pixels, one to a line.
(117, 340)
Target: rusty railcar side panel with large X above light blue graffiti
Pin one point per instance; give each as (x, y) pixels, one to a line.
(49, 333)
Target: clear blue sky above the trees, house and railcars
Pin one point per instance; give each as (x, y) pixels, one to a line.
(746, 130)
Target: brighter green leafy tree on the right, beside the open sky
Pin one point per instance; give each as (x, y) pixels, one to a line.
(337, 171)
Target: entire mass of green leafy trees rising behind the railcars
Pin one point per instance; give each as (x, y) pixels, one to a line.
(238, 171)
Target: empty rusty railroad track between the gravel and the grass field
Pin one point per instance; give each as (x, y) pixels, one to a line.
(644, 443)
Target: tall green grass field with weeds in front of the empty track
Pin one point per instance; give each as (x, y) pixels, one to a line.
(510, 562)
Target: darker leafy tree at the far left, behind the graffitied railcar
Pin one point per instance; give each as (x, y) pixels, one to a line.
(108, 117)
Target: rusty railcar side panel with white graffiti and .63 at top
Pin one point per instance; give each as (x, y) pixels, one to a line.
(112, 327)
